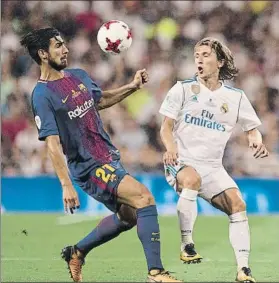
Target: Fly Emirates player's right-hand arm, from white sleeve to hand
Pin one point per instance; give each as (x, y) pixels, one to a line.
(249, 122)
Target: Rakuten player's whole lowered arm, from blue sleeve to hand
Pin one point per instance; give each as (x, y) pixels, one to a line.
(48, 131)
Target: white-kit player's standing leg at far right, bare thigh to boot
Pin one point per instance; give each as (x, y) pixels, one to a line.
(231, 202)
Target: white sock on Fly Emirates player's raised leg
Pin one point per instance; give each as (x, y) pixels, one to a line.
(187, 213)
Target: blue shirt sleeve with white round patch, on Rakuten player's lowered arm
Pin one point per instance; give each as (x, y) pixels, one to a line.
(44, 116)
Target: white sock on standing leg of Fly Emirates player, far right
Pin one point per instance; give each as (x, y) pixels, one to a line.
(240, 238)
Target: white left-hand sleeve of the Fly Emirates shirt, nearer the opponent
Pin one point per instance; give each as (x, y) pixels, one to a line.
(172, 104)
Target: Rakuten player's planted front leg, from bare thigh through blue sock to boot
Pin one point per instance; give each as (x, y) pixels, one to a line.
(136, 195)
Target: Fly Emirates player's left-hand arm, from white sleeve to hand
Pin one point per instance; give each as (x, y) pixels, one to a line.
(170, 109)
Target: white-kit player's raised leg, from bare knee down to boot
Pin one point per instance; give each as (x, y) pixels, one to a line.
(188, 184)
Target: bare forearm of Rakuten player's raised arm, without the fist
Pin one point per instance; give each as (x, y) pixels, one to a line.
(114, 96)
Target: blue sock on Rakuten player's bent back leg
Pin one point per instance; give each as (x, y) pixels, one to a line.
(109, 228)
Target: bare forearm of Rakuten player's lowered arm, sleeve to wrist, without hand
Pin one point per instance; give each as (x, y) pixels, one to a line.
(58, 161)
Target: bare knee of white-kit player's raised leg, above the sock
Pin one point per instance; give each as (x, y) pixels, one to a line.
(189, 178)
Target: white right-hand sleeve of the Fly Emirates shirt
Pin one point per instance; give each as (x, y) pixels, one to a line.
(247, 117)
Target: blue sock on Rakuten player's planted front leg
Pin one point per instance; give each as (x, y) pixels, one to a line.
(149, 234)
